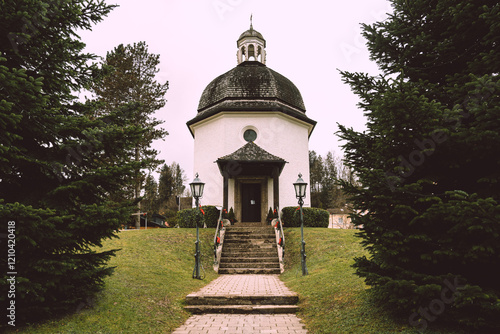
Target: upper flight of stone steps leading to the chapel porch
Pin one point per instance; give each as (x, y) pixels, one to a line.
(249, 248)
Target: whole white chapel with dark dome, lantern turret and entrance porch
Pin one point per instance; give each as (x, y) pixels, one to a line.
(251, 136)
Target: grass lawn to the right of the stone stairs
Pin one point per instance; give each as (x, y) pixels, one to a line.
(332, 298)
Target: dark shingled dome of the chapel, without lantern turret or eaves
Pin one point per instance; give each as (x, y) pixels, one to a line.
(251, 81)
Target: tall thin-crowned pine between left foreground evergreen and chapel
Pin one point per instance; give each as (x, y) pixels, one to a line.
(131, 79)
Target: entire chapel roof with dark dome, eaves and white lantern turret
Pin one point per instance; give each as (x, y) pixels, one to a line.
(251, 87)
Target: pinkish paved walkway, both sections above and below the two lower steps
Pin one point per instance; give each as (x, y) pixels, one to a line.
(244, 285)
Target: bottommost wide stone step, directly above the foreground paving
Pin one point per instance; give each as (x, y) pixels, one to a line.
(242, 309)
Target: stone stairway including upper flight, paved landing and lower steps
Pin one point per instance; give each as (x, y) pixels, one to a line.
(249, 281)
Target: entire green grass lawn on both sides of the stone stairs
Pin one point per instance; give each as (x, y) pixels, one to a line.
(153, 275)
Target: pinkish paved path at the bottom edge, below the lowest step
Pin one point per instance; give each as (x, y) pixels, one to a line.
(242, 324)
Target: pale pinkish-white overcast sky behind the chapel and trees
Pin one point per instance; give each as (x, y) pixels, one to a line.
(308, 42)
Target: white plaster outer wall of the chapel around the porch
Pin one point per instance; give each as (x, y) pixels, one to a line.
(277, 133)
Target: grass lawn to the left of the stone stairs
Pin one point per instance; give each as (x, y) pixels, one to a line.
(146, 293)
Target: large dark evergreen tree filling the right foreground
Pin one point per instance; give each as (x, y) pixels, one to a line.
(428, 162)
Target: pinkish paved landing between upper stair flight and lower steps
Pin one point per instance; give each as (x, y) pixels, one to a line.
(245, 285)
